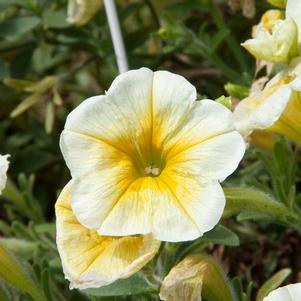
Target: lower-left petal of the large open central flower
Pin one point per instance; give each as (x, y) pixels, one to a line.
(101, 174)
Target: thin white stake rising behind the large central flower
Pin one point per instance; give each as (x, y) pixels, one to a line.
(116, 35)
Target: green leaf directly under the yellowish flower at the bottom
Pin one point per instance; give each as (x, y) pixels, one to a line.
(134, 285)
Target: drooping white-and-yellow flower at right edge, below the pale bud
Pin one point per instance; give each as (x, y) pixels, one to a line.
(277, 108)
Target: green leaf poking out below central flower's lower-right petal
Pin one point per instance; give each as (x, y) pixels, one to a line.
(222, 236)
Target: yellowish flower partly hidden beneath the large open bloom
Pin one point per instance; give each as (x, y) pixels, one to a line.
(90, 260)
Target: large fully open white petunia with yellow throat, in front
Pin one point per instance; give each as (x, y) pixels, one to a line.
(146, 158)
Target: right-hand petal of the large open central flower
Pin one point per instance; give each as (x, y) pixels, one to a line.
(204, 147)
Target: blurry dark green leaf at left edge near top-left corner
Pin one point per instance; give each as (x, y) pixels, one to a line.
(18, 26)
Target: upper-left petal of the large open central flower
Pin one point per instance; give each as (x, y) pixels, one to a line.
(122, 117)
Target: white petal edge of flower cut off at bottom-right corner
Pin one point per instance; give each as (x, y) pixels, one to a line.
(290, 292)
